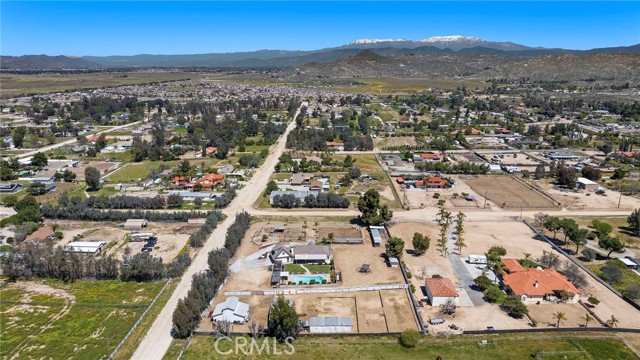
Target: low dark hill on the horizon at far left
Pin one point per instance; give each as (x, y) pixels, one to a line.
(30, 62)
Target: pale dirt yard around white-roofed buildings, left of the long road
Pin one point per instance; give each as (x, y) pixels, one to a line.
(171, 237)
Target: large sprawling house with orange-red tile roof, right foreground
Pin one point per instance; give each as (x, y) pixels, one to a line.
(536, 285)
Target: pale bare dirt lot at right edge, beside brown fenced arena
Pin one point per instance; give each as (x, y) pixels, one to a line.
(580, 200)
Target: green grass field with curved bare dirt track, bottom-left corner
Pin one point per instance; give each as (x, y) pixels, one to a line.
(81, 320)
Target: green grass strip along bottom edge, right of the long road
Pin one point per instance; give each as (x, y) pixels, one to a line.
(507, 346)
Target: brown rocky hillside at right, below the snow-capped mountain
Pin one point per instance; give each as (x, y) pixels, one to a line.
(616, 68)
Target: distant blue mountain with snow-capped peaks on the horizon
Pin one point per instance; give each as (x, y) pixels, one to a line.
(453, 42)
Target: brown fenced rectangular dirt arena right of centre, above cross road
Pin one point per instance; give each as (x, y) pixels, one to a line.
(507, 192)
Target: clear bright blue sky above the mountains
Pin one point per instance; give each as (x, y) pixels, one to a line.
(149, 27)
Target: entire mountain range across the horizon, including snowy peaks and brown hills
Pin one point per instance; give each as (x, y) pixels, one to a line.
(435, 56)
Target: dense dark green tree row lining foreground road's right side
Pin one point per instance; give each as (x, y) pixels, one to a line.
(205, 285)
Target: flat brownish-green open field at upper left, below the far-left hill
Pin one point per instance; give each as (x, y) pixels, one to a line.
(23, 84)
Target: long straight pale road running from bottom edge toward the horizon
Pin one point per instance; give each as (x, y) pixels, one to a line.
(158, 338)
